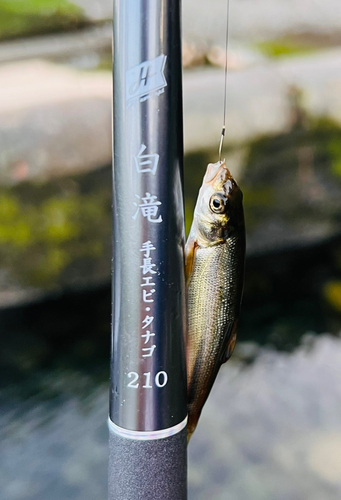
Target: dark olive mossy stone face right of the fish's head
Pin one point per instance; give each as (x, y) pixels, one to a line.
(294, 178)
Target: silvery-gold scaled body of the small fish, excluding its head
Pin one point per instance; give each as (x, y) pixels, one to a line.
(208, 316)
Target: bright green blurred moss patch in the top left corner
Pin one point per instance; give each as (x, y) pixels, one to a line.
(32, 17)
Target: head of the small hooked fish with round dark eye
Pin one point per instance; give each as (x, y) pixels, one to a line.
(219, 209)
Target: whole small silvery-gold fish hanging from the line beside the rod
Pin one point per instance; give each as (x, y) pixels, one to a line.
(215, 254)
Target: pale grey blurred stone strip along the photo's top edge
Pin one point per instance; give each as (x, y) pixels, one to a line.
(205, 22)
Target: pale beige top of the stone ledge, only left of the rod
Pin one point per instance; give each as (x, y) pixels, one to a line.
(53, 120)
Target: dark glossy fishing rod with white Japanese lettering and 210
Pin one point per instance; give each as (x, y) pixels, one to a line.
(148, 404)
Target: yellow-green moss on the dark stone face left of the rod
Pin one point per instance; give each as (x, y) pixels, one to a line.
(56, 230)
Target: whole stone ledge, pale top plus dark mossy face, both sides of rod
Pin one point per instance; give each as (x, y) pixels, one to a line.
(55, 129)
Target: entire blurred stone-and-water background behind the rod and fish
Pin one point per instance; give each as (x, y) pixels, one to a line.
(272, 426)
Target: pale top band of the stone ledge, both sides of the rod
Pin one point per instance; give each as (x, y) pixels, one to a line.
(58, 120)
